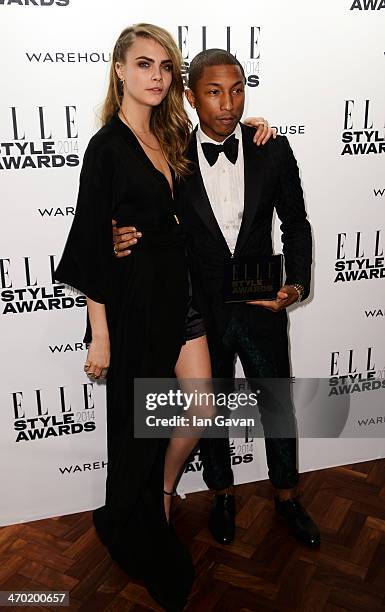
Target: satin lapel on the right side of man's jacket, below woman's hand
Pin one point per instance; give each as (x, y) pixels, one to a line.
(252, 159)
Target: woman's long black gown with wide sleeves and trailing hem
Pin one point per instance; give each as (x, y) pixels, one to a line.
(146, 297)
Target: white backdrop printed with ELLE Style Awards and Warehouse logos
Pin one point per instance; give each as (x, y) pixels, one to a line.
(315, 70)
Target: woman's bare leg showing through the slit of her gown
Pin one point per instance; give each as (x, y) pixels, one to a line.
(193, 363)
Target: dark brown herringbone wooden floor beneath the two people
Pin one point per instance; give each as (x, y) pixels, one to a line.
(265, 569)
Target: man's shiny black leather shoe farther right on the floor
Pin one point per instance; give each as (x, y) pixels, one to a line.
(302, 525)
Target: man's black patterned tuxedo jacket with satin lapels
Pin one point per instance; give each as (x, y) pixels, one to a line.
(271, 181)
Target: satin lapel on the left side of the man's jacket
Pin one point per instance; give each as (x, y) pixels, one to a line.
(199, 198)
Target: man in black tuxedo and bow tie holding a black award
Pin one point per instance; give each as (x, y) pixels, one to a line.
(228, 204)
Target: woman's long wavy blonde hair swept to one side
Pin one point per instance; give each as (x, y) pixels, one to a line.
(169, 121)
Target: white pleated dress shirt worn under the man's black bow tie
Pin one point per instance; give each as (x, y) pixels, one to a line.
(225, 187)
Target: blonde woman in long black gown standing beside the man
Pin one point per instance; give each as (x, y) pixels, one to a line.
(140, 323)
